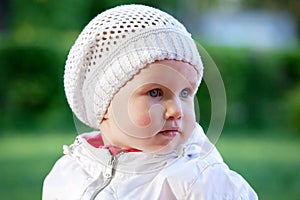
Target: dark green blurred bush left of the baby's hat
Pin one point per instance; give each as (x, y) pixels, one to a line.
(30, 84)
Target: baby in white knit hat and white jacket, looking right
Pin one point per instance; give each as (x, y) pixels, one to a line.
(133, 74)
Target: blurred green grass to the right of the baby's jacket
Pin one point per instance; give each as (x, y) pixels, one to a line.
(270, 164)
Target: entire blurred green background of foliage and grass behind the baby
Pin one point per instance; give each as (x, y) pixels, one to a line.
(255, 45)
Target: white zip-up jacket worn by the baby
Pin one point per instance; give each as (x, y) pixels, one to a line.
(194, 171)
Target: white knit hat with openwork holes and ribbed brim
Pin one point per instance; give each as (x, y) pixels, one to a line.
(114, 47)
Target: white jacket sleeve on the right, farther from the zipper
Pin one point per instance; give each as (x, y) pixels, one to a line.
(217, 181)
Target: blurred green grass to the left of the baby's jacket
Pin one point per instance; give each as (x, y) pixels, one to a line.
(24, 162)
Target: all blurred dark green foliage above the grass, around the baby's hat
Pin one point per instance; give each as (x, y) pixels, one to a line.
(262, 86)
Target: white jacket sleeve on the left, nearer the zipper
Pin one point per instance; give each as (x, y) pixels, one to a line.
(66, 180)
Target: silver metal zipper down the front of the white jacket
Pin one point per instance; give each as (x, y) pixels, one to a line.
(108, 175)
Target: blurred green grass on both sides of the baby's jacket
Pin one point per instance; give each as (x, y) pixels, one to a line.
(270, 164)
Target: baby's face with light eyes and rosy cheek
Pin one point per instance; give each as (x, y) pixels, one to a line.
(153, 112)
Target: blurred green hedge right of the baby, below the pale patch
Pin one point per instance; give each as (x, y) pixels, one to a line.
(260, 87)
